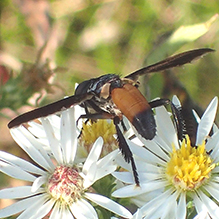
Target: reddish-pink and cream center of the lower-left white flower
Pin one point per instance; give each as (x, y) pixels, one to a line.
(65, 185)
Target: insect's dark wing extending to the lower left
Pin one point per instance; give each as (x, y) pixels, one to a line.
(49, 109)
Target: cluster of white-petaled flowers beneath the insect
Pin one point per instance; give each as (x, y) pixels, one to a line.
(177, 179)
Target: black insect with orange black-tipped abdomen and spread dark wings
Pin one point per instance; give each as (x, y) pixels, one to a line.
(111, 97)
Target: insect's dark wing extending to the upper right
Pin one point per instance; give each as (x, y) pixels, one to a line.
(173, 61)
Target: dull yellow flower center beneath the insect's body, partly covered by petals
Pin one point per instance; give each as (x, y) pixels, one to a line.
(92, 130)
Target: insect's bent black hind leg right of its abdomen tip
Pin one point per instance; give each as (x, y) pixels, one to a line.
(177, 115)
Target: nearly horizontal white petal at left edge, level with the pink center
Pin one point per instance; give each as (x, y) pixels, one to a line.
(17, 192)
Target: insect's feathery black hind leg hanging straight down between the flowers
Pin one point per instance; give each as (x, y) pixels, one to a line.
(126, 152)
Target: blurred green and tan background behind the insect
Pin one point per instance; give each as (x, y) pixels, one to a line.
(48, 46)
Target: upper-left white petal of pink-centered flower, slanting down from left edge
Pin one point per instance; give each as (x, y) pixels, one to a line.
(23, 164)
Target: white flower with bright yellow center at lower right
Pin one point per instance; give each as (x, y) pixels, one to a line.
(176, 179)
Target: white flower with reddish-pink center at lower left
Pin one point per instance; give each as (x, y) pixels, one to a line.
(60, 187)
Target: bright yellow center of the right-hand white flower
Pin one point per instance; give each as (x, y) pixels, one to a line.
(189, 167)
